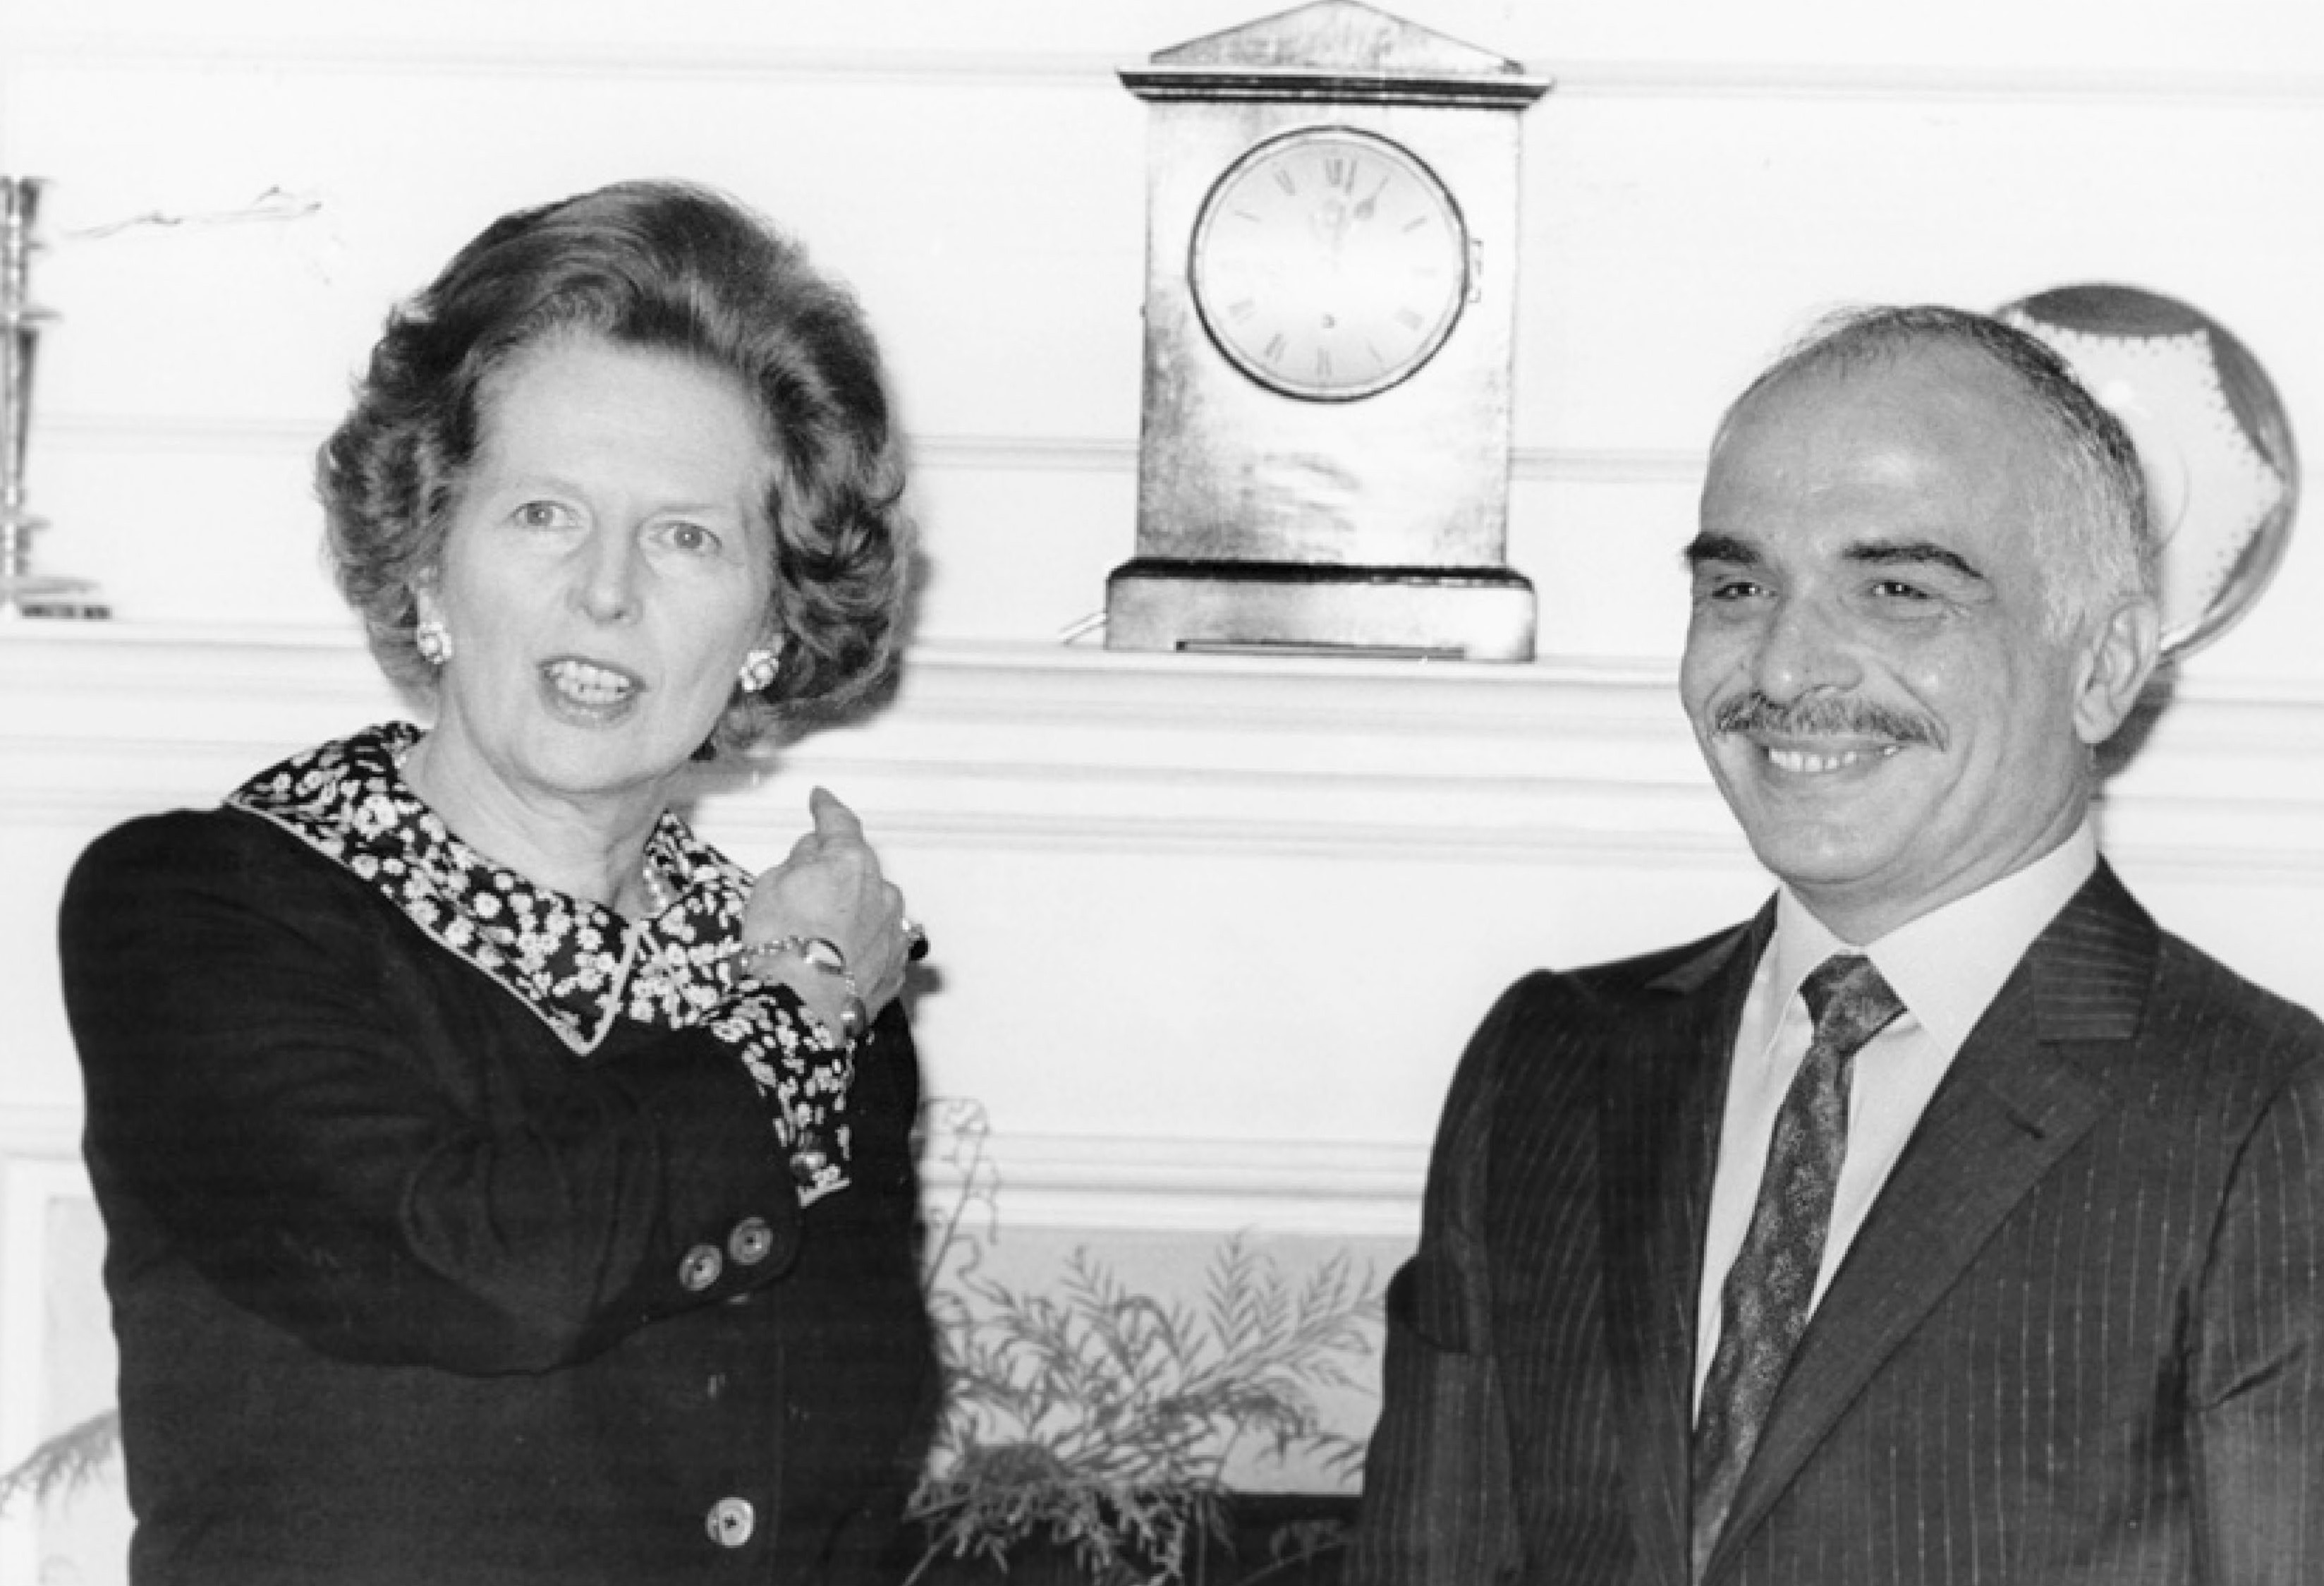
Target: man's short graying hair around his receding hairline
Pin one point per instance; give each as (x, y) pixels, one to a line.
(2104, 545)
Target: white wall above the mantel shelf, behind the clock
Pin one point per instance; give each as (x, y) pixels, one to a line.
(1695, 187)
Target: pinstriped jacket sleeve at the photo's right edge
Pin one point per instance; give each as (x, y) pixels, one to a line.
(2258, 1355)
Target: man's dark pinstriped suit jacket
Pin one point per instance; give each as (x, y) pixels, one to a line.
(2079, 1341)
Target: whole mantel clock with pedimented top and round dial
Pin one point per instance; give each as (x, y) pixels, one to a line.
(1324, 457)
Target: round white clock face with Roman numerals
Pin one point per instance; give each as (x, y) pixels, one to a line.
(1330, 264)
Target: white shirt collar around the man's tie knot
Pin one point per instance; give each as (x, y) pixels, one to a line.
(1949, 966)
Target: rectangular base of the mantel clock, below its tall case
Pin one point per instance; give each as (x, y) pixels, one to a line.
(1226, 606)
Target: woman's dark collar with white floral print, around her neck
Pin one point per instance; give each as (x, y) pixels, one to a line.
(575, 964)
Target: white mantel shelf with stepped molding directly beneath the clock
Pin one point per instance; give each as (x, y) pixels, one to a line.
(1219, 755)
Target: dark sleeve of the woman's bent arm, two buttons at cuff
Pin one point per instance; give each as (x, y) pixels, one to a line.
(343, 1131)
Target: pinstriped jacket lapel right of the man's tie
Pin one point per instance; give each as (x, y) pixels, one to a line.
(2014, 1103)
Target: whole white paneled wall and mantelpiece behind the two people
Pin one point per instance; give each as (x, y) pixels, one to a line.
(1210, 931)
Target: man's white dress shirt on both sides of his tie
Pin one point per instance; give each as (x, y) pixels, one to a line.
(1946, 969)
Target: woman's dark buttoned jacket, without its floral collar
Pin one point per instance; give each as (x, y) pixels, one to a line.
(408, 1294)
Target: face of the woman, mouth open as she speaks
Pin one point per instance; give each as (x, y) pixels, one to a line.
(605, 573)
